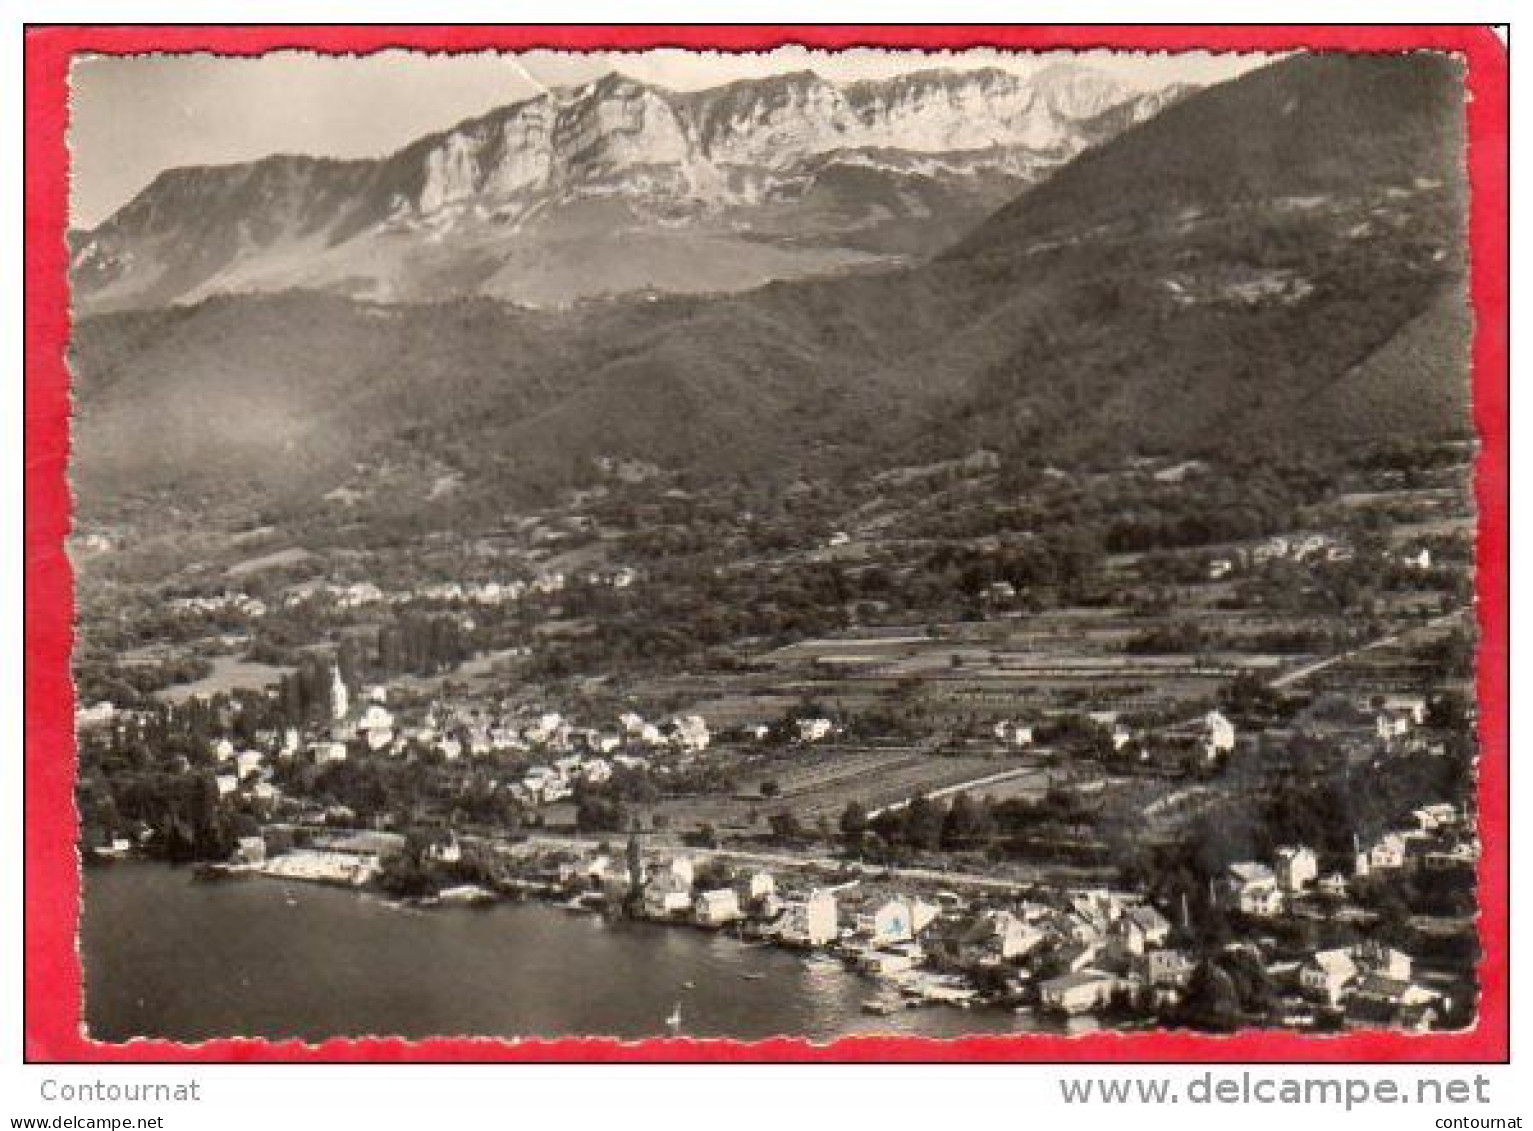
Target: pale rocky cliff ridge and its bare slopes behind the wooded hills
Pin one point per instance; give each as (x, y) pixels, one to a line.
(615, 188)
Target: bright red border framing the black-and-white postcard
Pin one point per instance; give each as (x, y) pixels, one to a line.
(53, 980)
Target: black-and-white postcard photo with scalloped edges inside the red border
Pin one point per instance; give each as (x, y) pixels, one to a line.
(799, 543)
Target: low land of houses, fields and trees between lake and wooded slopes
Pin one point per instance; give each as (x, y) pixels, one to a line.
(1121, 785)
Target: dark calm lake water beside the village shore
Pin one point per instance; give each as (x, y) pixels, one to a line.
(171, 957)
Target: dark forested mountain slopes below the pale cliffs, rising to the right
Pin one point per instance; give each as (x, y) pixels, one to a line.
(1267, 269)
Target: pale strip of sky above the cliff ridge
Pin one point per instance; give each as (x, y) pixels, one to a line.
(134, 117)
